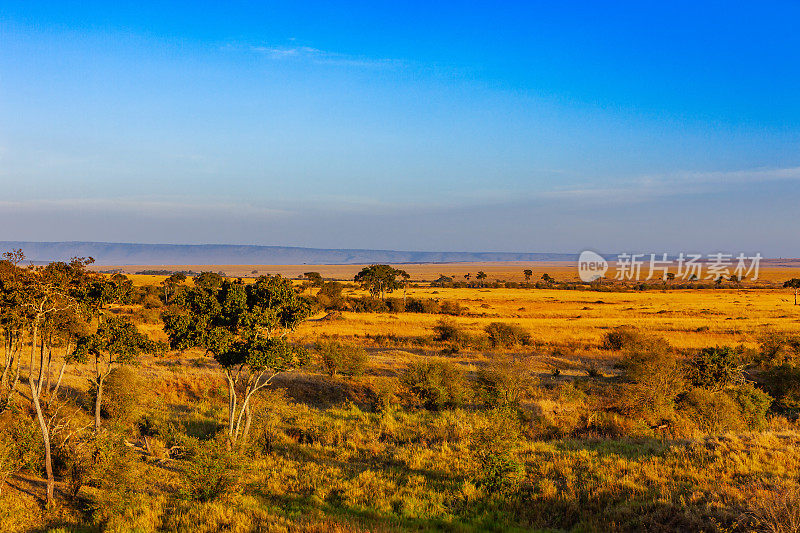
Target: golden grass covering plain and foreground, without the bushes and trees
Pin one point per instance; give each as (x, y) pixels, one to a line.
(355, 468)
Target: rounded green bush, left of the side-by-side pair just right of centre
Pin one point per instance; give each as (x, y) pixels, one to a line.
(436, 384)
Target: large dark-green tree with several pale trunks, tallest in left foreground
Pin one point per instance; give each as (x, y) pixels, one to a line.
(244, 328)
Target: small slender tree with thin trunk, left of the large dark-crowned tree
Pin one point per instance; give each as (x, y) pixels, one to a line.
(116, 342)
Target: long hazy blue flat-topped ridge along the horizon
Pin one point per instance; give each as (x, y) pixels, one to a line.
(109, 253)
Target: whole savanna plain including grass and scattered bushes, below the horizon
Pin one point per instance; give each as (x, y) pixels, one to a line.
(486, 406)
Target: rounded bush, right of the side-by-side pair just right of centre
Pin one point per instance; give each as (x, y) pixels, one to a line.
(504, 382)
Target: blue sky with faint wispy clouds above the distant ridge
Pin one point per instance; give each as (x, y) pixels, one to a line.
(481, 126)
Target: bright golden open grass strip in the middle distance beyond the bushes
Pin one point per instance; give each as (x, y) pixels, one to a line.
(687, 318)
